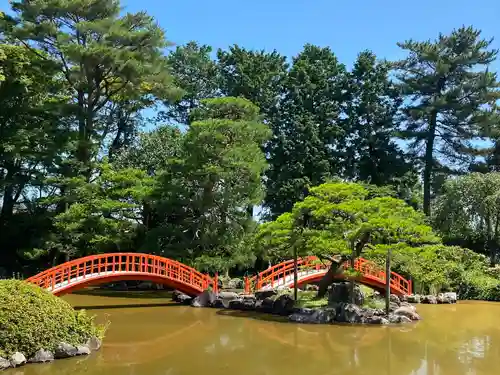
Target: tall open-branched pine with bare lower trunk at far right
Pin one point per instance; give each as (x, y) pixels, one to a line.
(450, 93)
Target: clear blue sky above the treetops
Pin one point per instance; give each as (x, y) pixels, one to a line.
(346, 26)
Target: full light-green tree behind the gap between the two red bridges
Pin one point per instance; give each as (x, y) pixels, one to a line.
(202, 196)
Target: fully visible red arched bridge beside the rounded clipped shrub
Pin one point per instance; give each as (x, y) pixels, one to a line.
(106, 268)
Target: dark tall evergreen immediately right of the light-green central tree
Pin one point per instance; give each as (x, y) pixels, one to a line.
(308, 144)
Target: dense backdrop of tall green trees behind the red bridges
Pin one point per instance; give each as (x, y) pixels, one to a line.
(83, 170)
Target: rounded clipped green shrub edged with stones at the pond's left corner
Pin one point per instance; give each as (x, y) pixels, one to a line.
(33, 319)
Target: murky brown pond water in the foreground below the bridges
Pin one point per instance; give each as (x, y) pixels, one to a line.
(150, 336)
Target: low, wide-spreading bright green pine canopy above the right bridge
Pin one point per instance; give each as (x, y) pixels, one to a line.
(340, 214)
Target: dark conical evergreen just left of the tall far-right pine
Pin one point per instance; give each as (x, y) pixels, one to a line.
(372, 154)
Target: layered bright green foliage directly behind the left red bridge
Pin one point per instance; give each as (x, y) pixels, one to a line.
(101, 215)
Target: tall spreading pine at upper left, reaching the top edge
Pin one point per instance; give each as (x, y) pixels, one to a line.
(104, 57)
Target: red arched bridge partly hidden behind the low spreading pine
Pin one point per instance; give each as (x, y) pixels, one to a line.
(311, 269)
